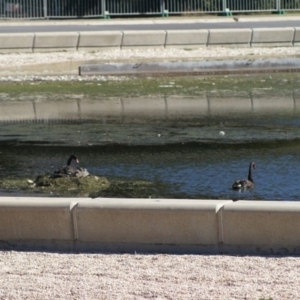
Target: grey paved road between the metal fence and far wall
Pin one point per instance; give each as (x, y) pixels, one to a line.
(108, 25)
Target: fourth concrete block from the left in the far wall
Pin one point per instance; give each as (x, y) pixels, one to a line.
(140, 39)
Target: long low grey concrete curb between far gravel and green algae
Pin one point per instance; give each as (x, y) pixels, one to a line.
(193, 67)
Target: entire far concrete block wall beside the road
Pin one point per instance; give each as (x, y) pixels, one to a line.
(72, 41)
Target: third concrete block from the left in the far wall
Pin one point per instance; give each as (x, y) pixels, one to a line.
(99, 40)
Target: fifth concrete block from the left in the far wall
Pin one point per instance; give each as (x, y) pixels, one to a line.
(186, 38)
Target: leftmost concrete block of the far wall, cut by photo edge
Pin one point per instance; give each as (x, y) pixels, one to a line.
(16, 42)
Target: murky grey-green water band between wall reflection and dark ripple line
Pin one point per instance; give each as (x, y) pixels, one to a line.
(237, 128)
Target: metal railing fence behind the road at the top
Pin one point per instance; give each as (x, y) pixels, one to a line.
(54, 9)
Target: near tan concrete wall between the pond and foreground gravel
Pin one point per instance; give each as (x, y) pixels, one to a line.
(150, 225)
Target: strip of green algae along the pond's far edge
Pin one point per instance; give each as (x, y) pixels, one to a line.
(154, 86)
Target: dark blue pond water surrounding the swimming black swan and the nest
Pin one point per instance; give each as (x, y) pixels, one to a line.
(188, 153)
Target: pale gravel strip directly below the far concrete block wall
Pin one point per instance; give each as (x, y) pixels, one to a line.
(148, 54)
